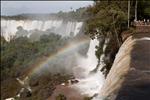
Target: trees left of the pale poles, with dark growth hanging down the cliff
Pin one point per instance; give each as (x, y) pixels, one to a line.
(108, 19)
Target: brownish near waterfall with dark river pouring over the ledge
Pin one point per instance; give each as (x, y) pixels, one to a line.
(129, 77)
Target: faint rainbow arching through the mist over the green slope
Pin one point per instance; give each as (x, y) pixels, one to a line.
(67, 48)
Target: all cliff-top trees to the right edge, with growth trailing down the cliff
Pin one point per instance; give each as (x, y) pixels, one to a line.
(108, 19)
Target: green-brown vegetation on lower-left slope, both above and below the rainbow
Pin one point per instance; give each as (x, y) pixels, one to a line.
(20, 54)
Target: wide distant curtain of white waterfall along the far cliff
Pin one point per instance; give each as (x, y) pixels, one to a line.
(64, 28)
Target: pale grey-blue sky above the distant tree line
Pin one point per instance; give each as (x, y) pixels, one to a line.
(19, 7)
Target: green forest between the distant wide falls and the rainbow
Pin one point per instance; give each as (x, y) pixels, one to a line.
(21, 52)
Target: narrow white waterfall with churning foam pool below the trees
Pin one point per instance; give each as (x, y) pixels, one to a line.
(89, 83)
